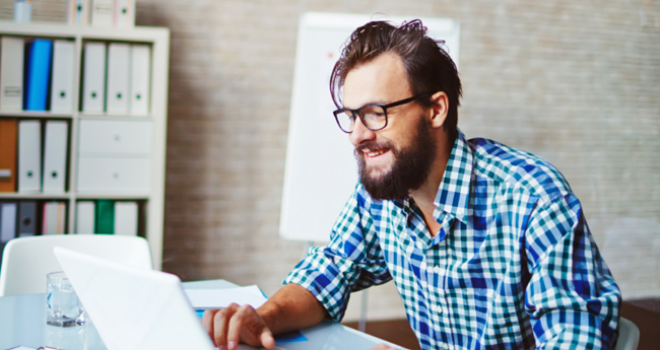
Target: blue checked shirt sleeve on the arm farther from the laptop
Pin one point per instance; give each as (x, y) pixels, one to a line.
(571, 298)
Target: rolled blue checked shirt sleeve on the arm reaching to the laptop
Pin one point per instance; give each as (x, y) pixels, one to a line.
(351, 261)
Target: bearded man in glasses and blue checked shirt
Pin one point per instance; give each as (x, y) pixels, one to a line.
(487, 245)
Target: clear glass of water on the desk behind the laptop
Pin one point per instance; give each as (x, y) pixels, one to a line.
(63, 307)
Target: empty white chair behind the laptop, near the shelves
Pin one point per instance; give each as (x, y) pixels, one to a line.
(26, 261)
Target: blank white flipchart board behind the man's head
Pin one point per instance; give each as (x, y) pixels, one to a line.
(320, 172)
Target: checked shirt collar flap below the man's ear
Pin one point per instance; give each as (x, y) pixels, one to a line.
(454, 191)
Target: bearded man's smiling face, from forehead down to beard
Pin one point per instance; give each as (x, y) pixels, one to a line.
(398, 158)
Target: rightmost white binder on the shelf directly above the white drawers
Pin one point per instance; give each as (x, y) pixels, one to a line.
(140, 79)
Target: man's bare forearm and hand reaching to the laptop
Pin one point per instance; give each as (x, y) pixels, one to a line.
(291, 308)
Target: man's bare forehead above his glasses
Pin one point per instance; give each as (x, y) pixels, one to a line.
(381, 80)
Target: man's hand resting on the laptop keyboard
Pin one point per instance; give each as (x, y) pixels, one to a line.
(233, 324)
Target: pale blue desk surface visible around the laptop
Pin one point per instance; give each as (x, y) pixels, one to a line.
(23, 322)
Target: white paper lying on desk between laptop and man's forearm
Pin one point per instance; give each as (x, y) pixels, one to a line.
(219, 298)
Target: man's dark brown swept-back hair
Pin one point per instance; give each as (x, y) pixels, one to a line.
(429, 68)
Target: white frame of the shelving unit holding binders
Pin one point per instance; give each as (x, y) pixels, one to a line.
(158, 39)
